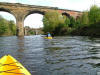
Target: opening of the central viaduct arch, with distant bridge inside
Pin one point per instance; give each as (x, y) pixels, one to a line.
(33, 23)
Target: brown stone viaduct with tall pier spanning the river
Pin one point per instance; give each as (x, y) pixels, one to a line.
(21, 11)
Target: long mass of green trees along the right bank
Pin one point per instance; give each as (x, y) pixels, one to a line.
(86, 24)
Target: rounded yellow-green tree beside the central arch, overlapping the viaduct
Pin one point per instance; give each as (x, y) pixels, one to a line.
(51, 20)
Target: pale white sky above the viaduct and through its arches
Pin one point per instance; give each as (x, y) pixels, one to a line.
(78, 5)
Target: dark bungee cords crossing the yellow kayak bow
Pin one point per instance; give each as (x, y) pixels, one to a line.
(8, 71)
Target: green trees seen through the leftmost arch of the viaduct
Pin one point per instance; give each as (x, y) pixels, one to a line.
(7, 27)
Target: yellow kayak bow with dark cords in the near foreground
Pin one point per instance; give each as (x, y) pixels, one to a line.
(10, 66)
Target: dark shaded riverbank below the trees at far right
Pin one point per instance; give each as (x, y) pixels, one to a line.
(92, 30)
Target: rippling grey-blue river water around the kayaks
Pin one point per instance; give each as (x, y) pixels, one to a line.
(67, 55)
